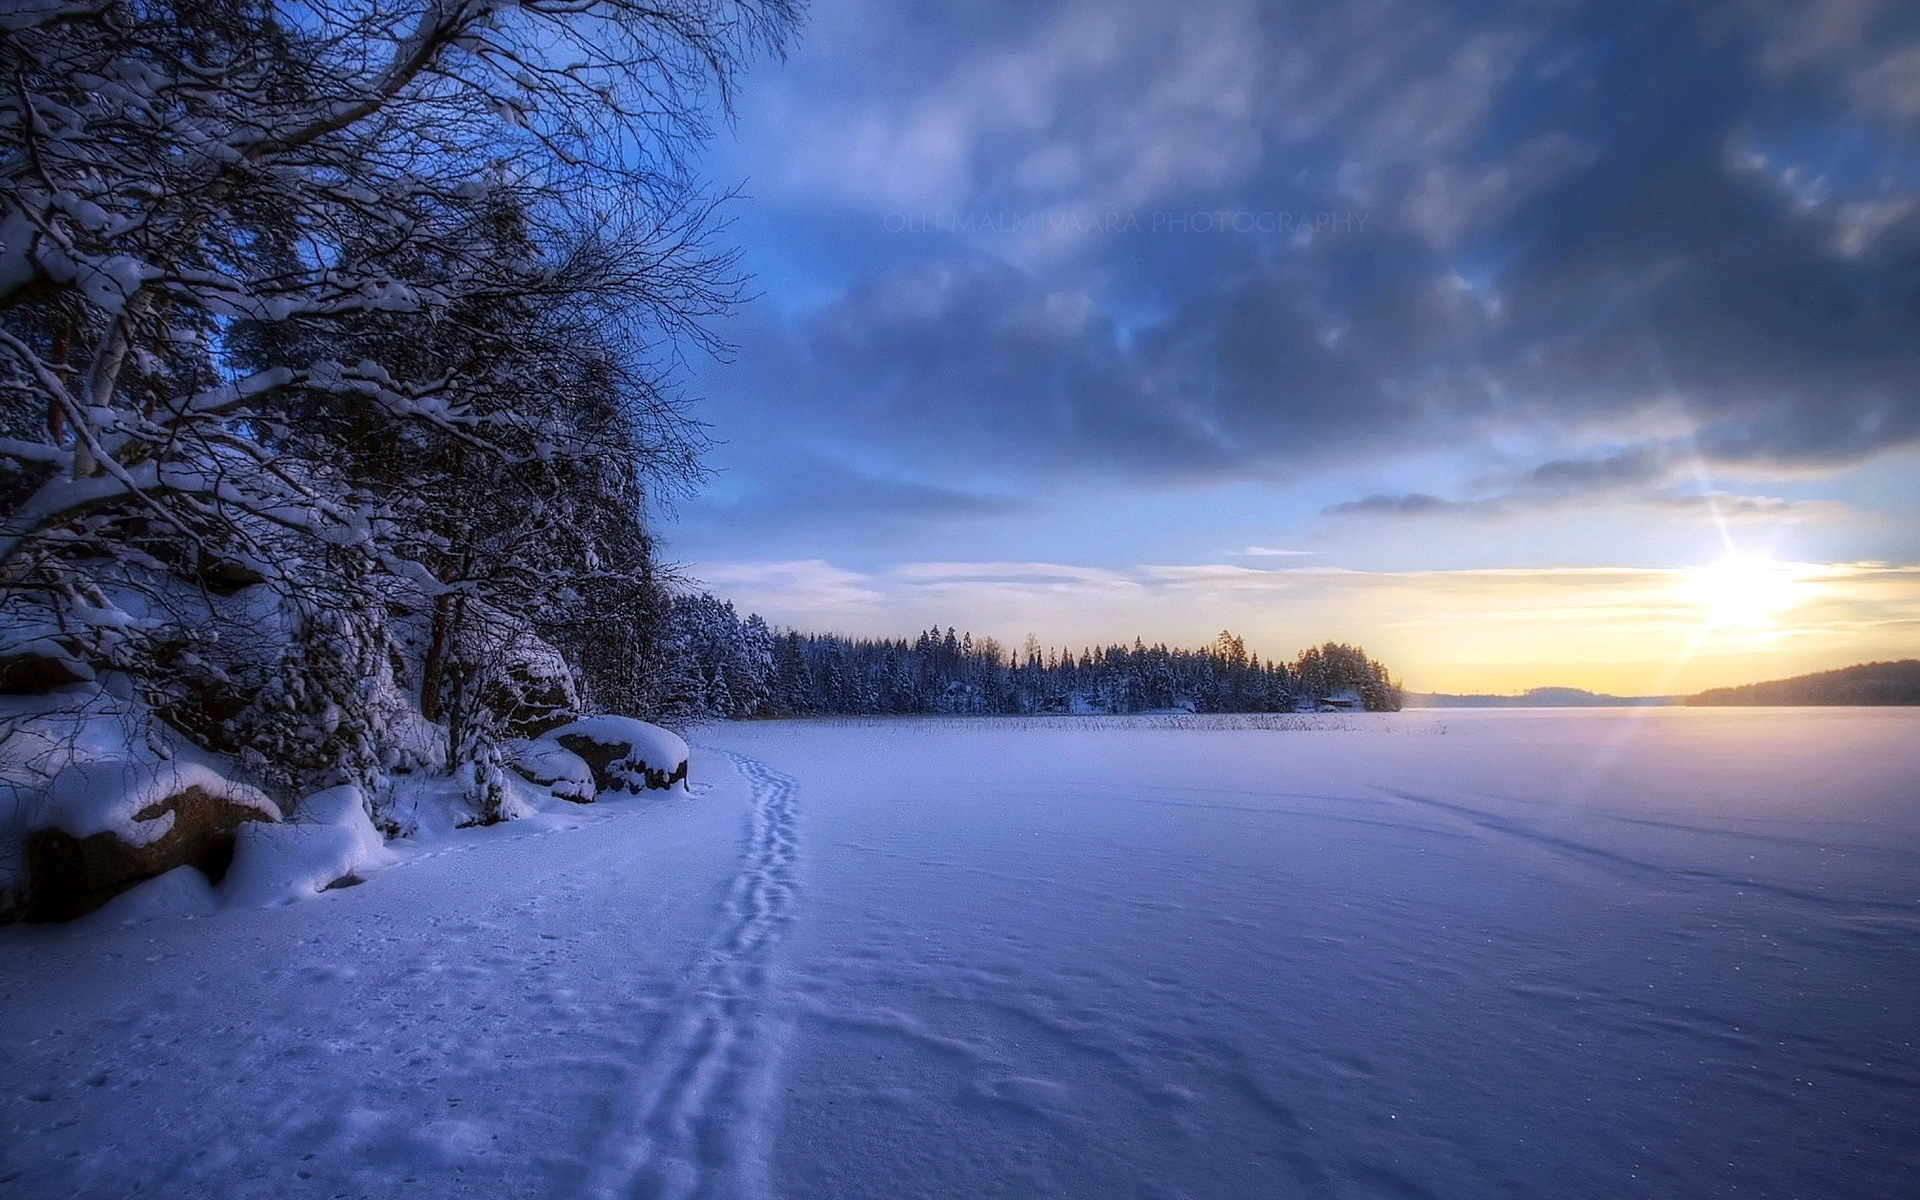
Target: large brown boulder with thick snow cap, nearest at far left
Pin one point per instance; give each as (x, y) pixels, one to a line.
(108, 827)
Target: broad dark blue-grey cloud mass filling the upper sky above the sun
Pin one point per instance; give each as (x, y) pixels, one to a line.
(1631, 235)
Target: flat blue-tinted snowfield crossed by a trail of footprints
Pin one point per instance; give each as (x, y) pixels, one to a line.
(1466, 955)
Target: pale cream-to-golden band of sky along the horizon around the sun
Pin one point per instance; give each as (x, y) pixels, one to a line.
(1604, 629)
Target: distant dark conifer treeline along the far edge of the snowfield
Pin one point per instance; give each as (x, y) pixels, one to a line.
(731, 667)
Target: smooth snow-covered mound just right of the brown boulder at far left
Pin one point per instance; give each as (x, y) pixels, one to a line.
(327, 844)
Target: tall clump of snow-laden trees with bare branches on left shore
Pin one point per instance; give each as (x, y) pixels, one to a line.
(368, 304)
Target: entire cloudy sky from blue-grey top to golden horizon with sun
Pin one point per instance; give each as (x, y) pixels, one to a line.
(1524, 343)
